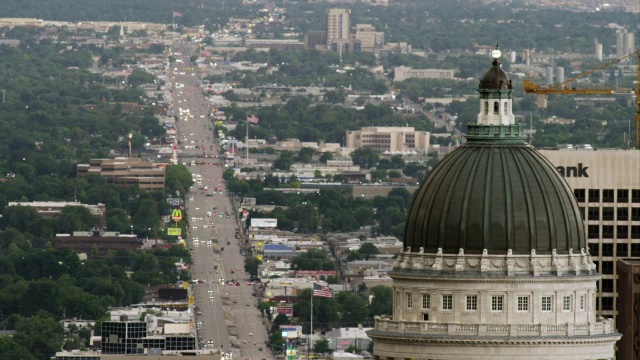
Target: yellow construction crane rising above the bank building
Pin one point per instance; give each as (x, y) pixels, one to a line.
(562, 88)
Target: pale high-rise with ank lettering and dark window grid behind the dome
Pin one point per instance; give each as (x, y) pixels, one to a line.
(606, 184)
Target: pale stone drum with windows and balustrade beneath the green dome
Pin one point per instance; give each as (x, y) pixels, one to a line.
(494, 307)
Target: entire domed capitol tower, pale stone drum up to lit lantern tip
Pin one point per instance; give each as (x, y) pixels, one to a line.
(495, 264)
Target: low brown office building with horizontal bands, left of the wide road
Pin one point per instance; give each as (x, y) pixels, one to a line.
(125, 172)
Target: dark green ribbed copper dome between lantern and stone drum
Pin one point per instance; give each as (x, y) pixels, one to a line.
(495, 192)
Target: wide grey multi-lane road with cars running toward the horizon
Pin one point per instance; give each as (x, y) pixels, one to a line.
(229, 318)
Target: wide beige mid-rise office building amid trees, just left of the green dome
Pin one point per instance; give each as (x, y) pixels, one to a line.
(390, 139)
